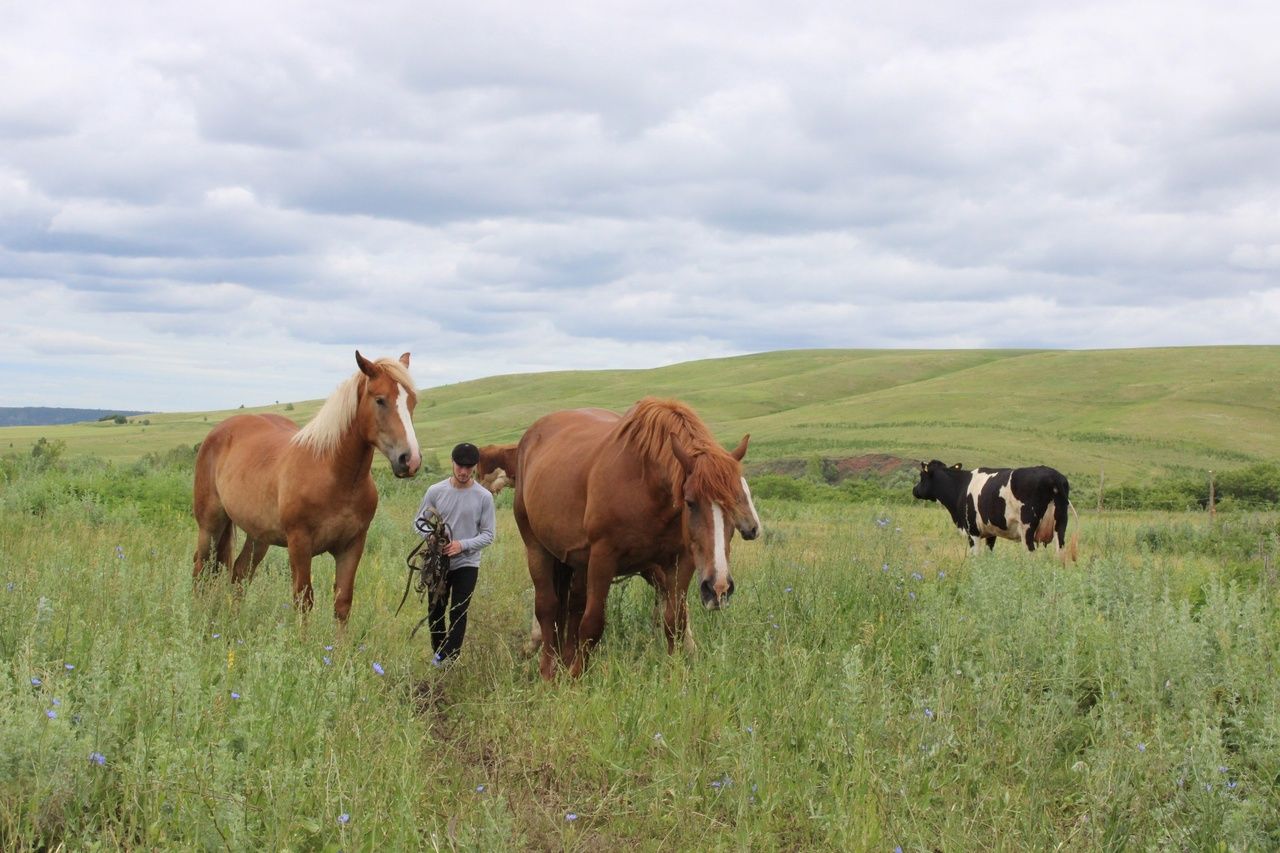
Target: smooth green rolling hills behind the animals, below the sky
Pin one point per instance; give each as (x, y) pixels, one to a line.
(1133, 413)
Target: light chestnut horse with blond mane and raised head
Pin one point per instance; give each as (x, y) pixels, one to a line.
(308, 490)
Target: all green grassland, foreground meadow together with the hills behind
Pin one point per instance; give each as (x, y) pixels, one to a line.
(871, 687)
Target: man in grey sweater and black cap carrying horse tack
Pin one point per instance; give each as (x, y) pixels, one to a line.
(468, 509)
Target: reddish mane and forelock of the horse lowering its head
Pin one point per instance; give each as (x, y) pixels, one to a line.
(648, 428)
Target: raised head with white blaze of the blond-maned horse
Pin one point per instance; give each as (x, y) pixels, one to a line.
(386, 413)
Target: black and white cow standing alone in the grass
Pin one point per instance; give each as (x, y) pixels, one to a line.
(1028, 505)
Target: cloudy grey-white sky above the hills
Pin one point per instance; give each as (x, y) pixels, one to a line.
(205, 209)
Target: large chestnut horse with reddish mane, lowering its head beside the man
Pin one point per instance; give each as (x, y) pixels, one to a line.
(602, 495)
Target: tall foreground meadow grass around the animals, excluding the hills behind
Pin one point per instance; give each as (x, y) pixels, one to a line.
(870, 687)
